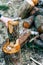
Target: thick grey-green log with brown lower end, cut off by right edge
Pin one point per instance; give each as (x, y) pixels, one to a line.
(39, 23)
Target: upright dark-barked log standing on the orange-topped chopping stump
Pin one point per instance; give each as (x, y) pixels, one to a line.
(13, 30)
